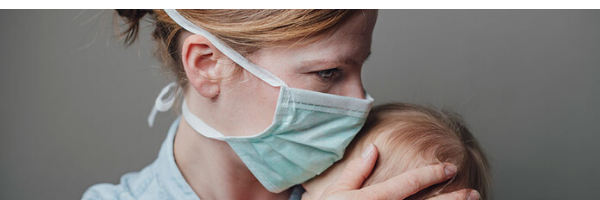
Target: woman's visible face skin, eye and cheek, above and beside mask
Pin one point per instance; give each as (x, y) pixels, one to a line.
(331, 65)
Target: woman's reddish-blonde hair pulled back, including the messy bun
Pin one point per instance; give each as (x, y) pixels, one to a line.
(246, 31)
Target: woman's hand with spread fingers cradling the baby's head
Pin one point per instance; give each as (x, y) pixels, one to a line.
(348, 184)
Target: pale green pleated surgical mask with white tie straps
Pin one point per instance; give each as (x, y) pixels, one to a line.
(309, 132)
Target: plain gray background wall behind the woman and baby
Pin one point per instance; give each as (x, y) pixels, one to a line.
(74, 101)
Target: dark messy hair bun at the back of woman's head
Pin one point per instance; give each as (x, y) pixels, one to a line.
(132, 19)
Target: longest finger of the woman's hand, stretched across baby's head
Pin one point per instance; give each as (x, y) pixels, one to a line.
(410, 182)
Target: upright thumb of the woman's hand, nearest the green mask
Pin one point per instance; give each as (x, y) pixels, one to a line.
(356, 171)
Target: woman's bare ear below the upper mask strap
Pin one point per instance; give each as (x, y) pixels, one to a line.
(200, 62)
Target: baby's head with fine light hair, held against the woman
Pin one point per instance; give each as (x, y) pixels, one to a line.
(409, 136)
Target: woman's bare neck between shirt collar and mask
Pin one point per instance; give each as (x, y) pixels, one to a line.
(213, 170)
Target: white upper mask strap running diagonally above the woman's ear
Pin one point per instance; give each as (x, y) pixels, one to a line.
(259, 72)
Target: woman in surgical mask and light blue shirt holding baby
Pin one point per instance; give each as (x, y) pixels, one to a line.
(270, 99)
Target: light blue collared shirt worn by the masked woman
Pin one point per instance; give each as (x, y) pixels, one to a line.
(159, 180)
